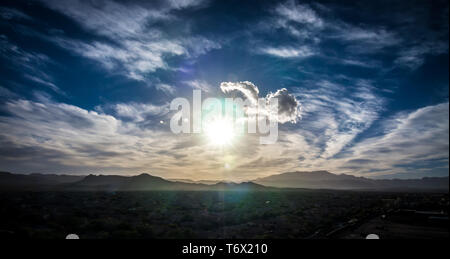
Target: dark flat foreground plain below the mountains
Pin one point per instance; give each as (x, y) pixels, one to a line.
(224, 214)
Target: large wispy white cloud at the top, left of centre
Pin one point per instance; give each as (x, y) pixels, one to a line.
(135, 46)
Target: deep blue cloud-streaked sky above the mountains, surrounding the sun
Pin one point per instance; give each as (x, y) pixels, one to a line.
(86, 86)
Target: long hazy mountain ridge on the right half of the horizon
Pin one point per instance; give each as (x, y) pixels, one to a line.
(327, 180)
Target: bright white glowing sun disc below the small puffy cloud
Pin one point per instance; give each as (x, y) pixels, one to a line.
(220, 131)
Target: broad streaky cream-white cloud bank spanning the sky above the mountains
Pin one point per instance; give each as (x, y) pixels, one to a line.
(56, 137)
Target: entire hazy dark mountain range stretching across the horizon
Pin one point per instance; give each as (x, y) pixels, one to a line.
(146, 182)
